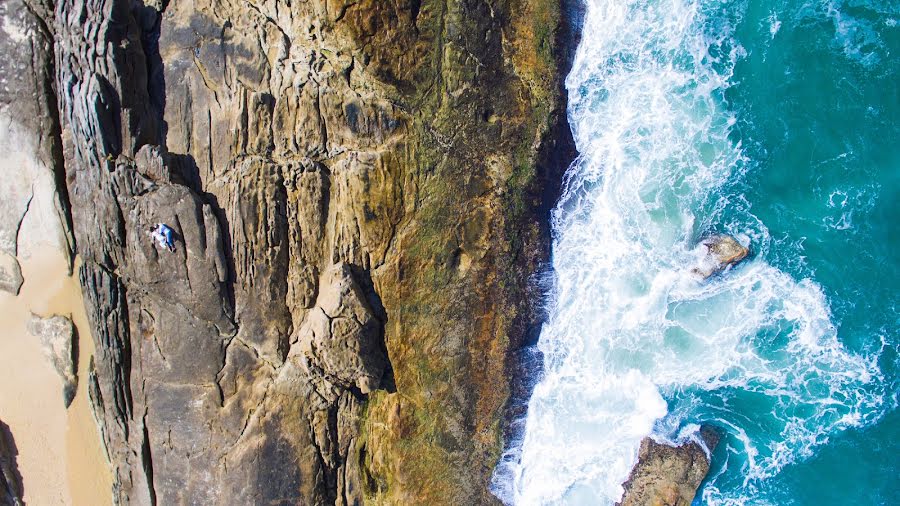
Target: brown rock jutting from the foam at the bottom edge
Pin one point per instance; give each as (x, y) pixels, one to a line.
(669, 475)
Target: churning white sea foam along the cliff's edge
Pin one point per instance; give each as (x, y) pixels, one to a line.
(630, 326)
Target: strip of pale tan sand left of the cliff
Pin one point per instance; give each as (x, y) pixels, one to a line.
(60, 454)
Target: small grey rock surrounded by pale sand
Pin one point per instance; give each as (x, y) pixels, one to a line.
(57, 335)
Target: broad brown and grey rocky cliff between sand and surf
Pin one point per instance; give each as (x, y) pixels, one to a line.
(356, 190)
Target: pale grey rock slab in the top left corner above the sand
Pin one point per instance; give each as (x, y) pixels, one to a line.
(33, 214)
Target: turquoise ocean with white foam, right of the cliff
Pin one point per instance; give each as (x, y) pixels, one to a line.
(777, 122)
